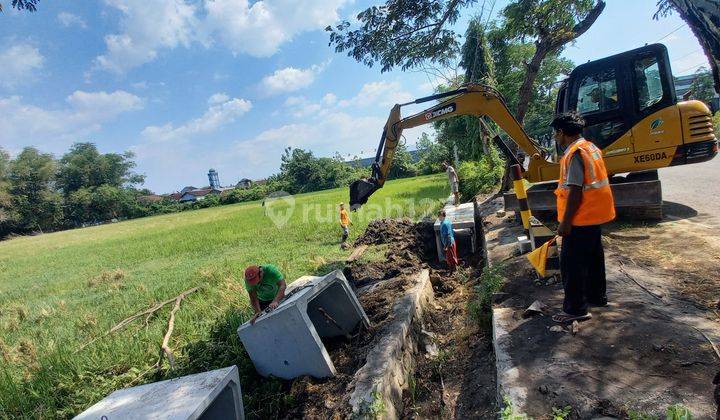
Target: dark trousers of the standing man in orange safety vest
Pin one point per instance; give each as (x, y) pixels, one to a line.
(582, 265)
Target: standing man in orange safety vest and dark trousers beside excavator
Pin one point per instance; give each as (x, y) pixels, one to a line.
(584, 203)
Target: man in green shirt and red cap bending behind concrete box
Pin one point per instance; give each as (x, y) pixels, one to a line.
(266, 286)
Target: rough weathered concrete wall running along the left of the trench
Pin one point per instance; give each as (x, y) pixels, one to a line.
(379, 384)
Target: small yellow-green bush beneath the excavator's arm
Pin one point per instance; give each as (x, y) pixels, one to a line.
(481, 176)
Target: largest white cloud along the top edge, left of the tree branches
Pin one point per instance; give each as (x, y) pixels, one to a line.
(257, 29)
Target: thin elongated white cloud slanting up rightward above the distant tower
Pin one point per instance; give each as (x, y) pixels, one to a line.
(222, 111)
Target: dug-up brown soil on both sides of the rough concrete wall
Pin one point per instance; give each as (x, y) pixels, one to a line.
(464, 371)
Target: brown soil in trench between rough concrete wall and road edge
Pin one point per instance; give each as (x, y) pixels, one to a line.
(459, 382)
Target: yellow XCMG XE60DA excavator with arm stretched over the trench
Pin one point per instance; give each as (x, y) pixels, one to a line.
(632, 114)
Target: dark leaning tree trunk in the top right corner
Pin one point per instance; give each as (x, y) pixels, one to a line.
(702, 18)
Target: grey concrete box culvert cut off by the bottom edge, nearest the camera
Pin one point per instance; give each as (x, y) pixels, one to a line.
(210, 395)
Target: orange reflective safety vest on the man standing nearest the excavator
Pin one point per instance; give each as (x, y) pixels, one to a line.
(597, 205)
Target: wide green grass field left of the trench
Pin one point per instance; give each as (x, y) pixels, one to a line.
(61, 290)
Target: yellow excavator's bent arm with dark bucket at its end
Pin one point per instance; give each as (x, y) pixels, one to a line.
(477, 100)
